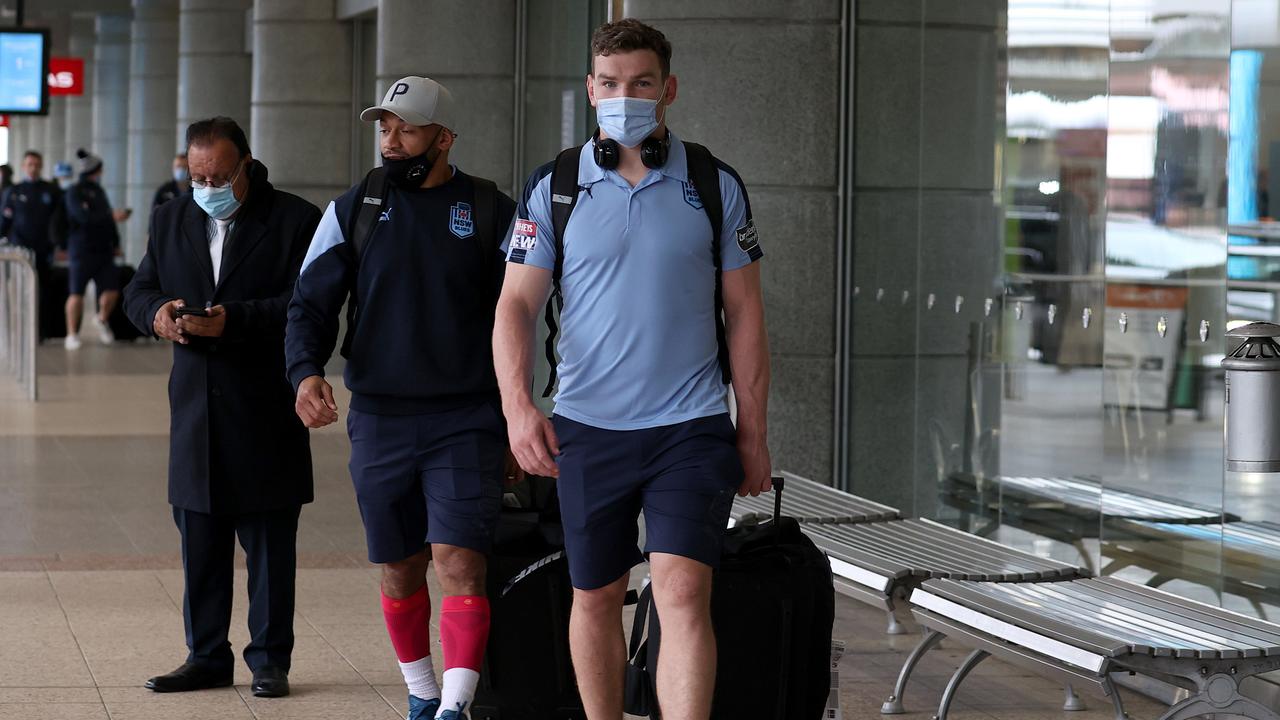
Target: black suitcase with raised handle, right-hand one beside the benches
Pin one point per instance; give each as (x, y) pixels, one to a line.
(774, 607)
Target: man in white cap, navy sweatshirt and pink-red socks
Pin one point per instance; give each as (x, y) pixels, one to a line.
(417, 248)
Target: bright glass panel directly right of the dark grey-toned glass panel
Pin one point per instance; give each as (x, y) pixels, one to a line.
(1040, 468)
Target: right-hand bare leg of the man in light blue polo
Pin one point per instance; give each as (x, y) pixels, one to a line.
(687, 666)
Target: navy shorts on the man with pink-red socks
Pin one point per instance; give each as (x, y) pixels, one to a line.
(431, 479)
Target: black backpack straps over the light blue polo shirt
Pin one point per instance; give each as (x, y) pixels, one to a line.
(705, 176)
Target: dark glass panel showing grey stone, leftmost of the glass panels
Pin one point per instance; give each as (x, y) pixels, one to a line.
(961, 263)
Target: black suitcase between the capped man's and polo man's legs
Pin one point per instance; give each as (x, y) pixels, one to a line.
(528, 673)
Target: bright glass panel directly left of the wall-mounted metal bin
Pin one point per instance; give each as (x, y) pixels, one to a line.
(1165, 294)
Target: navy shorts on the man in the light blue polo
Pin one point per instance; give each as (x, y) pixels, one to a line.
(683, 477)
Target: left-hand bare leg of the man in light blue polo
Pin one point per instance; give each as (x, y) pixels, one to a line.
(598, 648)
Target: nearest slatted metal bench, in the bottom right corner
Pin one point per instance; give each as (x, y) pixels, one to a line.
(1081, 632)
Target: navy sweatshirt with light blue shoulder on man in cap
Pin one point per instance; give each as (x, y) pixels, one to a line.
(426, 295)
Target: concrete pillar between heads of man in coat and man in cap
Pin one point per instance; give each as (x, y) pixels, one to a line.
(301, 104)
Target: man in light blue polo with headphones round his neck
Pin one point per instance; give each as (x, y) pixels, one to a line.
(642, 417)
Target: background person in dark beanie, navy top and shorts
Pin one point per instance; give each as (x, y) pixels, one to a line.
(93, 244)
